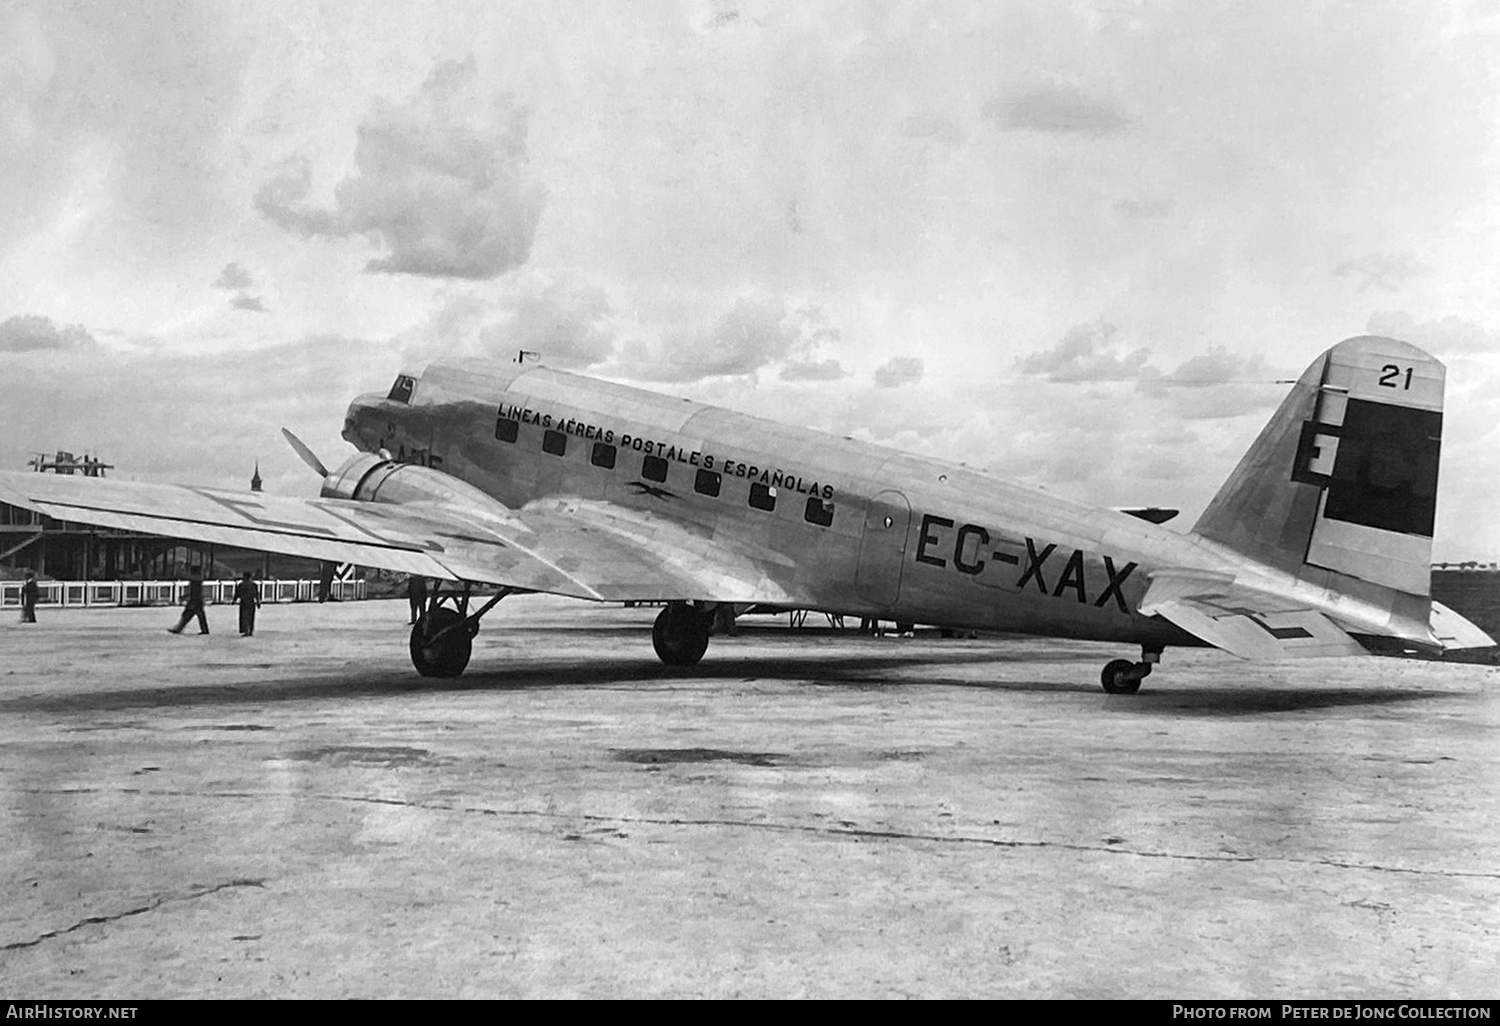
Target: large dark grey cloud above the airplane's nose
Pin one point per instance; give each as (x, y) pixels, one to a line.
(442, 182)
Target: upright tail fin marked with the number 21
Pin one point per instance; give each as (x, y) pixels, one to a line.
(1345, 476)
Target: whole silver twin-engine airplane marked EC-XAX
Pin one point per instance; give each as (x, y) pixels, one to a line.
(529, 479)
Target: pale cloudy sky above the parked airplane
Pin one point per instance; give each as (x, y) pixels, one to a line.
(1075, 244)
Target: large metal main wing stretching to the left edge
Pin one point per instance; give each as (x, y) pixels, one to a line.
(586, 550)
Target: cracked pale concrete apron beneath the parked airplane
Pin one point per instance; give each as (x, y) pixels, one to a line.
(802, 815)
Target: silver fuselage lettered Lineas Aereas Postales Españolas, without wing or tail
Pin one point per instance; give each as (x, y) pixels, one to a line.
(844, 527)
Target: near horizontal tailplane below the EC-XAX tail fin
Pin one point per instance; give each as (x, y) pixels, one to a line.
(1246, 622)
